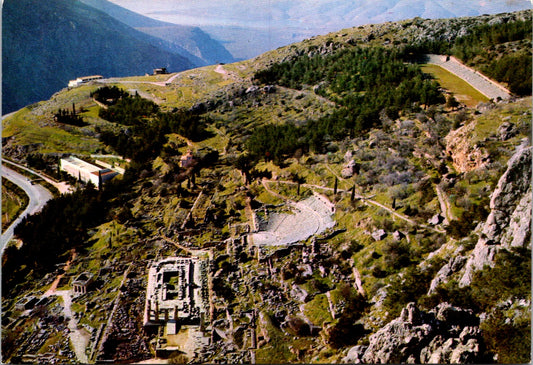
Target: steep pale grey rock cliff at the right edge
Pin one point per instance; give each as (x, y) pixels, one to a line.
(509, 222)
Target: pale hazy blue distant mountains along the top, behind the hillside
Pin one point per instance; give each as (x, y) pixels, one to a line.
(249, 28)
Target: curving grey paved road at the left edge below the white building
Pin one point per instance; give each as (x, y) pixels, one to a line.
(37, 194)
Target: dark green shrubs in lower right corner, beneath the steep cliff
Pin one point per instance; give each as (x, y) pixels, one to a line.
(505, 332)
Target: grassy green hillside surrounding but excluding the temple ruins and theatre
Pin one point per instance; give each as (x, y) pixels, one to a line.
(389, 158)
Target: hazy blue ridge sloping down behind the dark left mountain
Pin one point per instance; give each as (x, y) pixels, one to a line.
(192, 40)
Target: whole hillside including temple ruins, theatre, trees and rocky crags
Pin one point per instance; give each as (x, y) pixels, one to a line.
(337, 200)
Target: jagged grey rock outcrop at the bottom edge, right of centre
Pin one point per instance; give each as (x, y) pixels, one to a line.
(446, 334)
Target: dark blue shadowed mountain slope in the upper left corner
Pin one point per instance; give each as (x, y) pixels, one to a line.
(47, 43)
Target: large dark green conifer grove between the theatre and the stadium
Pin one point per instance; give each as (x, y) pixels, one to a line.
(364, 82)
